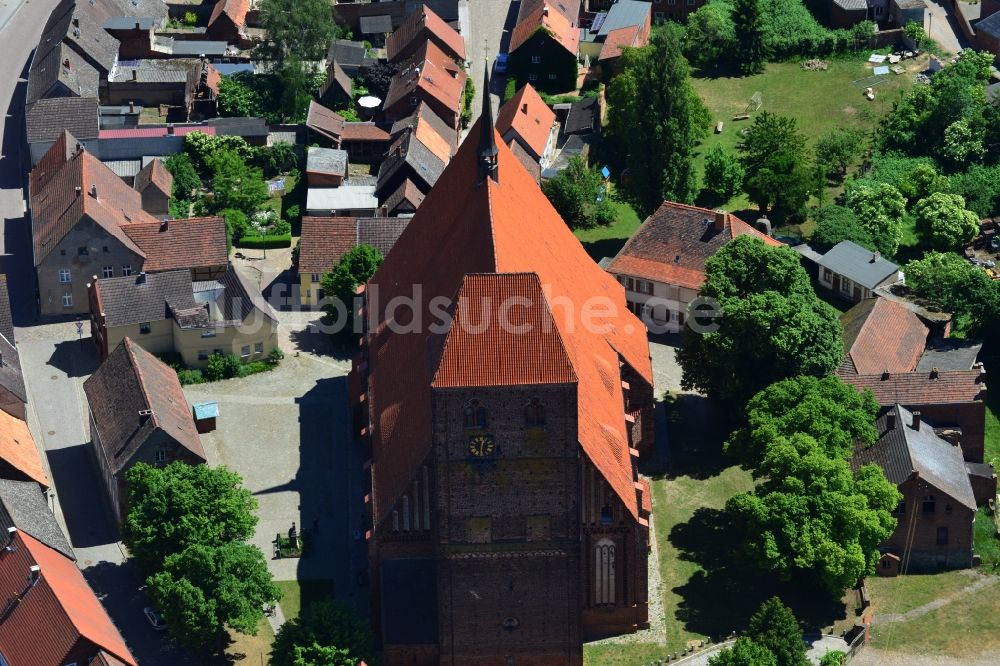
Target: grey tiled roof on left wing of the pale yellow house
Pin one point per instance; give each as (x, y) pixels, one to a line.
(136, 299)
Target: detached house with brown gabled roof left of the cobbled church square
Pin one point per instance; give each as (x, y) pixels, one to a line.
(137, 413)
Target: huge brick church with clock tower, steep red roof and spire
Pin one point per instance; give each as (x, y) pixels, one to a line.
(508, 519)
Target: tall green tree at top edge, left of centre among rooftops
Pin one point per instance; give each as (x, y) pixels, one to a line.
(298, 30)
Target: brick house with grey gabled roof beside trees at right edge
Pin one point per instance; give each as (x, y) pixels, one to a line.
(934, 528)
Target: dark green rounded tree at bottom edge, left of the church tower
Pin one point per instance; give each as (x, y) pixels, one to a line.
(326, 624)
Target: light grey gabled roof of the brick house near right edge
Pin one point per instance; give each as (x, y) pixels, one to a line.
(901, 451)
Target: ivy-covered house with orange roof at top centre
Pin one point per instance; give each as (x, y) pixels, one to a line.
(544, 43)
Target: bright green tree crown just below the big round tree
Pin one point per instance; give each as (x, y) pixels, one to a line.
(833, 413)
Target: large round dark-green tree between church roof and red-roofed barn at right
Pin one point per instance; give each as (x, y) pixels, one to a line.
(772, 326)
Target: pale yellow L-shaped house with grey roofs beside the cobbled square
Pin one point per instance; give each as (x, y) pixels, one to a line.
(168, 312)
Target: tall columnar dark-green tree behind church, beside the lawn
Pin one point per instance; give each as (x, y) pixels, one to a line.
(657, 118)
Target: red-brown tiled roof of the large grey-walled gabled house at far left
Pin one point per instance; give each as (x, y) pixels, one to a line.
(61, 186)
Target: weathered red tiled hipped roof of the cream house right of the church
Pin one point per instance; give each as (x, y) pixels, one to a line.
(674, 243)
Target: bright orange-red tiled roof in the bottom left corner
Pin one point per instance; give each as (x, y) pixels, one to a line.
(58, 619)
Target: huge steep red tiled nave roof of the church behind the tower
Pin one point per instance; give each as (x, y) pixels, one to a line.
(465, 228)
